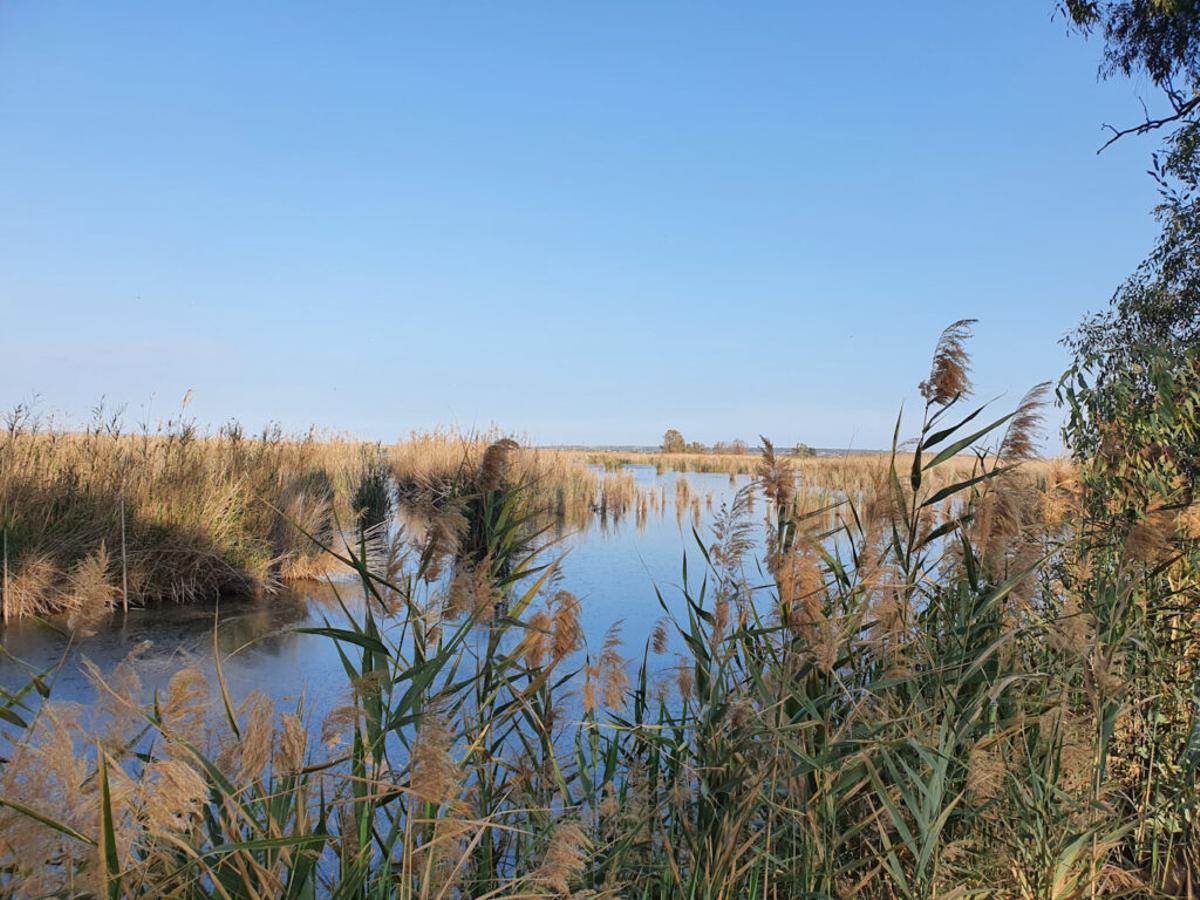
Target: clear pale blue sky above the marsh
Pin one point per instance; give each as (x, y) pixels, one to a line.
(579, 223)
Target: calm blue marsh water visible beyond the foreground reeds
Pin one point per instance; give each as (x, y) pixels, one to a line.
(613, 568)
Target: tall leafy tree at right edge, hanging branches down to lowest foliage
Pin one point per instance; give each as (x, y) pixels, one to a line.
(1133, 425)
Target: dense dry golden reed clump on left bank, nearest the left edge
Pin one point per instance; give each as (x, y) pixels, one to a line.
(95, 519)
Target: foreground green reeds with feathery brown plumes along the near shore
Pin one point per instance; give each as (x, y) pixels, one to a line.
(970, 685)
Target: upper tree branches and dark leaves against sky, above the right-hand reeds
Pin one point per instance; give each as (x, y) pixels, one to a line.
(1150, 335)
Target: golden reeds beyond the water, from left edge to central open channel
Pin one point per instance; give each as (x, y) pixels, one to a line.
(97, 519)
